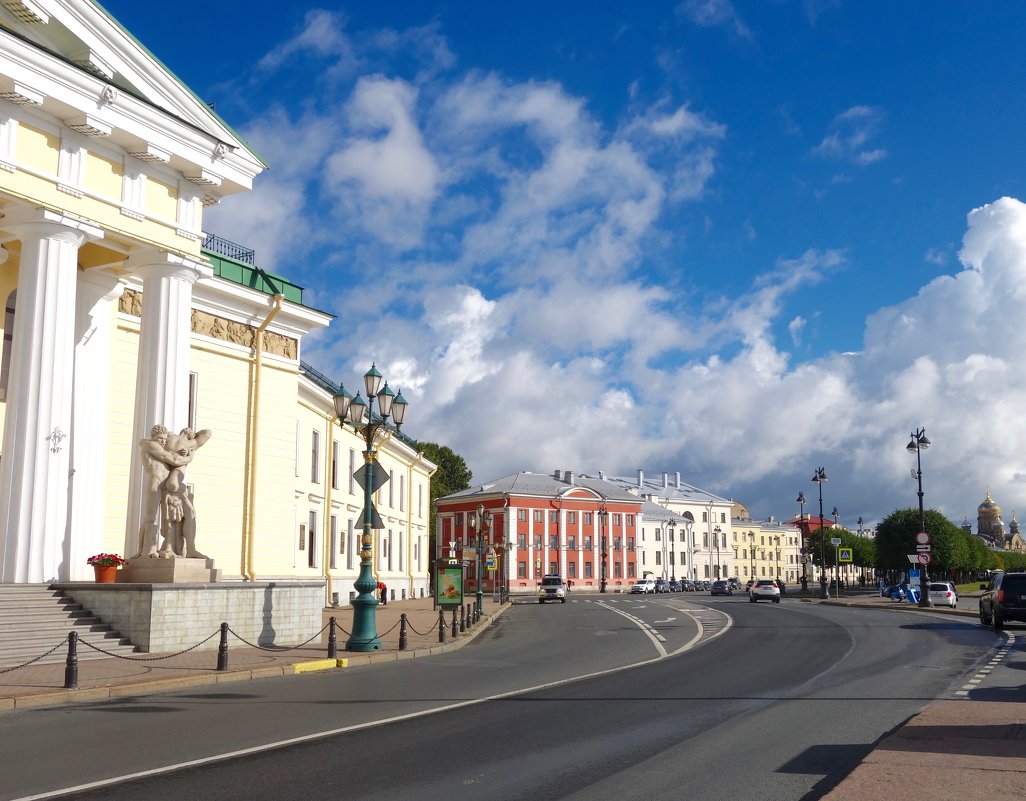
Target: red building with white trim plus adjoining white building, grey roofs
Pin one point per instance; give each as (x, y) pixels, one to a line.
(537, 525)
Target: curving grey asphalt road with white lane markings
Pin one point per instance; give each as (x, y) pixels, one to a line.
(684, 696)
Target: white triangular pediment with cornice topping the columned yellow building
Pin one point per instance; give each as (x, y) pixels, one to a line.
(72, 60)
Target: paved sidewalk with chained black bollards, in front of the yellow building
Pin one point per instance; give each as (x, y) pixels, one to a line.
(38, 686)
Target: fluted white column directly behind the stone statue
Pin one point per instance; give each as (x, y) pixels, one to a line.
(163, 369)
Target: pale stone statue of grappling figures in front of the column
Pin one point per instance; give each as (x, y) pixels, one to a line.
(168, 508)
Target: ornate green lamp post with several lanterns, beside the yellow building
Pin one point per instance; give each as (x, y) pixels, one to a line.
(350, 410)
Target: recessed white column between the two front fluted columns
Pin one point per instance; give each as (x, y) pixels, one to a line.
(90, 420)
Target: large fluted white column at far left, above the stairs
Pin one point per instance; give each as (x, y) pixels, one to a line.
(35, 465)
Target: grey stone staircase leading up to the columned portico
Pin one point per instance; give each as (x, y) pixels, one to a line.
(34, 619)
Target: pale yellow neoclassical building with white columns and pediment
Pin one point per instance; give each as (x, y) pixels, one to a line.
(122, 313)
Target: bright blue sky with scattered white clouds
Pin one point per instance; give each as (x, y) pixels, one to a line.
(719, 238)
